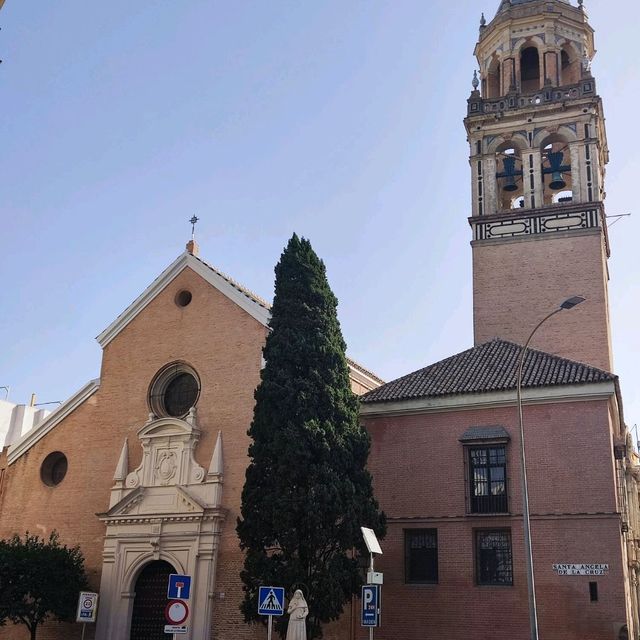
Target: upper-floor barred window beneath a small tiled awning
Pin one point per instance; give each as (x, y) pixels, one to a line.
(488, 478)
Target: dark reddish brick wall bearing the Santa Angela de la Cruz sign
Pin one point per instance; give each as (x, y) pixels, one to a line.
(418, 468)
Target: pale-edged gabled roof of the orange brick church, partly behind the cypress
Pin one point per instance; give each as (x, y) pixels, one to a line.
(253, 304)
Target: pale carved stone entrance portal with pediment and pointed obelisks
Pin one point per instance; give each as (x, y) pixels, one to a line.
(167, 513)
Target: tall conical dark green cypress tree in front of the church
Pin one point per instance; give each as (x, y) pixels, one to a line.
(307, 490)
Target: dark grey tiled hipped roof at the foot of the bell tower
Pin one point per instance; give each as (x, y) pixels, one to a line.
(488, 367)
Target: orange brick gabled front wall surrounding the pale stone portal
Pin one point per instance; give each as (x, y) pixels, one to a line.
(224, 345)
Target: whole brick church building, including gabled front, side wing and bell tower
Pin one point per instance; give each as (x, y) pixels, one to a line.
(144, 467)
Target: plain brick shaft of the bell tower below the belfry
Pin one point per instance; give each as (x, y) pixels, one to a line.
(516, 283)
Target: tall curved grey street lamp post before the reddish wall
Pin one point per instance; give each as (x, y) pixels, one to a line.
(531, 588)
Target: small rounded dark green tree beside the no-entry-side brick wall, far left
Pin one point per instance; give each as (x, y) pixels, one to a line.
(39, 579)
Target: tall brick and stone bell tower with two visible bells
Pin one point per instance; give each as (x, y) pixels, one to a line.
(538, 151)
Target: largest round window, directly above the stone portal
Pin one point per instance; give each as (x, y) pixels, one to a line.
(174, 390)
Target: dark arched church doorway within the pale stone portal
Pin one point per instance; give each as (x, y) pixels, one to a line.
(147, 619)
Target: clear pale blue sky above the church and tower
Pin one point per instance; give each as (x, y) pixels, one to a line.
(340, 120)
